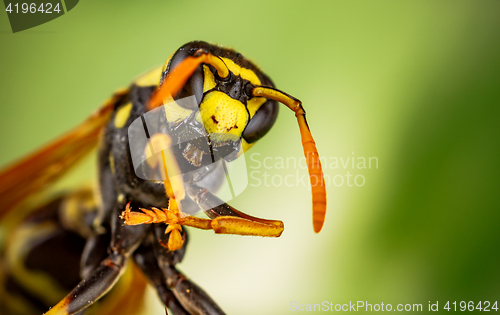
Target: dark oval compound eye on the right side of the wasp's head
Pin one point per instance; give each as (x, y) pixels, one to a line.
(261, 122)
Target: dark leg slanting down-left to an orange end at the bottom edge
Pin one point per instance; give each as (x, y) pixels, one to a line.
(124, 240)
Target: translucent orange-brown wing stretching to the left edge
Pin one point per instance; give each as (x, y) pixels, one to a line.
(32, 173)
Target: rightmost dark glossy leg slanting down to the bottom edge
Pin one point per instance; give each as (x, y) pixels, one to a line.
(191, 296)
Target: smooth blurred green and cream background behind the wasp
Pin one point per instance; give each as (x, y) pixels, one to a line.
(414, 84)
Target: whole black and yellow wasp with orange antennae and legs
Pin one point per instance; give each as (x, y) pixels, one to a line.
(162, 144)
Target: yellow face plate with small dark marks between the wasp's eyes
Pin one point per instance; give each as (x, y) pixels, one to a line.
(223, 115)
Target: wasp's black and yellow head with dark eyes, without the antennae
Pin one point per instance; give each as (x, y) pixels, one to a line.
(221, 105)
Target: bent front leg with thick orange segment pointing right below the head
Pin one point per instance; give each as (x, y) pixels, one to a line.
(228, 220)
